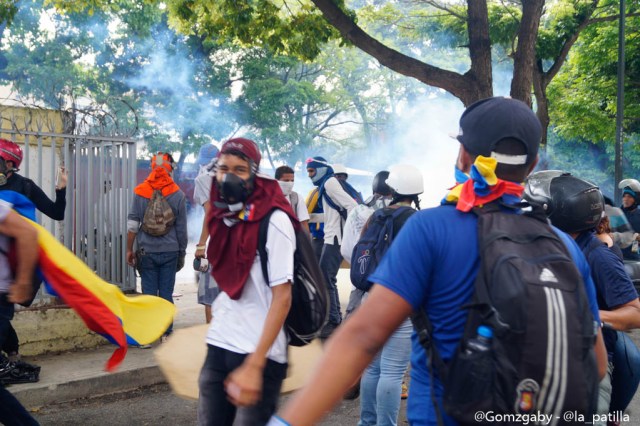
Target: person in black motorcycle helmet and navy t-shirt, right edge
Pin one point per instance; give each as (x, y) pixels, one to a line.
(575, 206)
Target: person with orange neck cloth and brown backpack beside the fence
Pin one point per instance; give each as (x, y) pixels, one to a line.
(158, 258)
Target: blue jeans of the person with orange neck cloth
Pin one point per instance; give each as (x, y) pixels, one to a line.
(158, 275)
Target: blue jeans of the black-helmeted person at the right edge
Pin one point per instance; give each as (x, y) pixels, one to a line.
(626, 372)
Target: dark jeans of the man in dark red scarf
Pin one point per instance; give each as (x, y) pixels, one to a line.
(214, 409)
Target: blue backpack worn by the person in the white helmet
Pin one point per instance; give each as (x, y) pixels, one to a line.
(376, 238)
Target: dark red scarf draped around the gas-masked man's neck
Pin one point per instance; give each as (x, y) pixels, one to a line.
(232, 249)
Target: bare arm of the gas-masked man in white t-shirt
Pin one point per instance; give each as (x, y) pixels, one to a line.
(244, 384)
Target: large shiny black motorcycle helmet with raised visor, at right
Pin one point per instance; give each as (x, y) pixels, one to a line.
(572, 204)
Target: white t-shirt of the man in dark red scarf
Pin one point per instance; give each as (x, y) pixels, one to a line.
(237, 324)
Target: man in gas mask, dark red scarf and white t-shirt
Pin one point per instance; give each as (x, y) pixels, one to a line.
(246, 345)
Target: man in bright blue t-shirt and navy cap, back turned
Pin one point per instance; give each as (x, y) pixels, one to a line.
(432, 264)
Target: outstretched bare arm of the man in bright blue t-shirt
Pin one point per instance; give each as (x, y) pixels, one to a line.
(347, 354)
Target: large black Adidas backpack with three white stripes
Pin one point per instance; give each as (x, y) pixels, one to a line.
(530, 294)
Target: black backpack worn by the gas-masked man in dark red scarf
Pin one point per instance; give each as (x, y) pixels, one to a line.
(309, 310)
